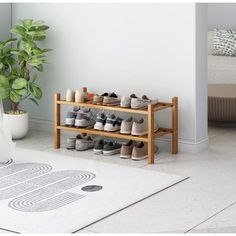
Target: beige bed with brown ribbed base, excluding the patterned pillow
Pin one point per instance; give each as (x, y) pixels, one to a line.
(221, 86)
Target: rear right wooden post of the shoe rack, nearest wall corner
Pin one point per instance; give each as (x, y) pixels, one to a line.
(175, 125)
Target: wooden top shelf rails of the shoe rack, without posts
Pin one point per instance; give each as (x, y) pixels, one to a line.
(159, 106)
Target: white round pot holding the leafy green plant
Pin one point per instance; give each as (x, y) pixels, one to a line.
(18, 125)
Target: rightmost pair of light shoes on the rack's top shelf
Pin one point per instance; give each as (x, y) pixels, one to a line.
(136, 103)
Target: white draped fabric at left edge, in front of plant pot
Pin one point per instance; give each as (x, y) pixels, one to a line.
(7, 147)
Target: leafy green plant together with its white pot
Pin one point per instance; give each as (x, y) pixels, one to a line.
(18, 67)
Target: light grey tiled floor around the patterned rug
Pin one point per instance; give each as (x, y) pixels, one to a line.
(205, 203)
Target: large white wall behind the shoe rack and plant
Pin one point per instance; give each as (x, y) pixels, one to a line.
(142, 48)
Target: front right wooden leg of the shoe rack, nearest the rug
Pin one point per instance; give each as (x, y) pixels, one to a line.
(150, 134)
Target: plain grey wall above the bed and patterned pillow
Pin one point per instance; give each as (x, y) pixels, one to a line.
(222, 15)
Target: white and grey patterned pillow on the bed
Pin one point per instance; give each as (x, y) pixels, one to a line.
(224, 42)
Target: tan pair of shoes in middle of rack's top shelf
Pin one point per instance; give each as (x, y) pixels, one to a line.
(106, 99)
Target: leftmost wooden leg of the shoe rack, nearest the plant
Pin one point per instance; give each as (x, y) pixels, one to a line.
(57, 121)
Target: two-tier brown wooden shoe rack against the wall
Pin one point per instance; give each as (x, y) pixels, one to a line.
(150, 112)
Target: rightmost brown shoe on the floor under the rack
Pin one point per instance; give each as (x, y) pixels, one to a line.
(140, 151)
